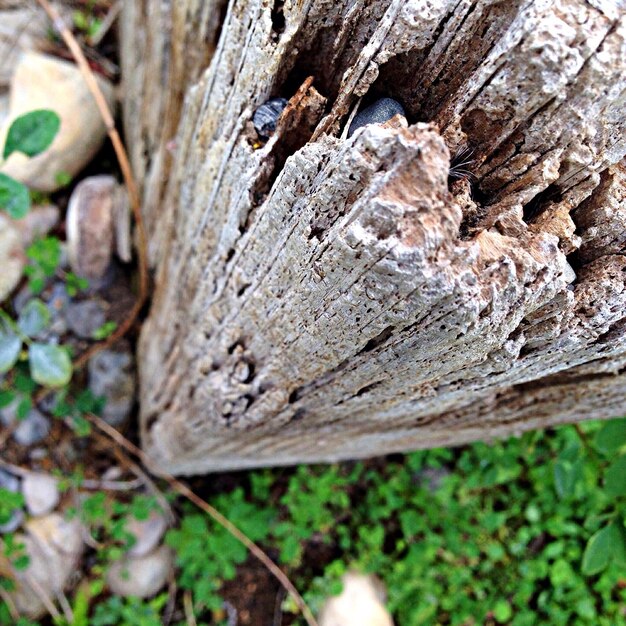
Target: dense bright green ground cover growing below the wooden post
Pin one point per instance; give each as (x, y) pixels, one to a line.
(486, 534)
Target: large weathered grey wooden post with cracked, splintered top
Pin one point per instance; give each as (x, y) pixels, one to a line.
(321, 298)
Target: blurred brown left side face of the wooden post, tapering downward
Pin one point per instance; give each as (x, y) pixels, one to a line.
(165, 46)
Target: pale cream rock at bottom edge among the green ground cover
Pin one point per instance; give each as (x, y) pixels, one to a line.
(359, 604)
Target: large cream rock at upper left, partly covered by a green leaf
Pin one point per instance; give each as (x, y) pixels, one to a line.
(41, 81)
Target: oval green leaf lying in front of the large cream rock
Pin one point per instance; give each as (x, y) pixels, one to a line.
(32, 133)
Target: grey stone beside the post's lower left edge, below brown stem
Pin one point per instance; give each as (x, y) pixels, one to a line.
(111, 374)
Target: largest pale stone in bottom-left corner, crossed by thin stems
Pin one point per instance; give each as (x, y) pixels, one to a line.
(54, 546)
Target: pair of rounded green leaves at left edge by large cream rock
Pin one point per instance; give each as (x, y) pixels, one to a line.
(30, 134)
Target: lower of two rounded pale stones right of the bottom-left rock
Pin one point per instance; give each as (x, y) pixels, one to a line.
(142, 576)
